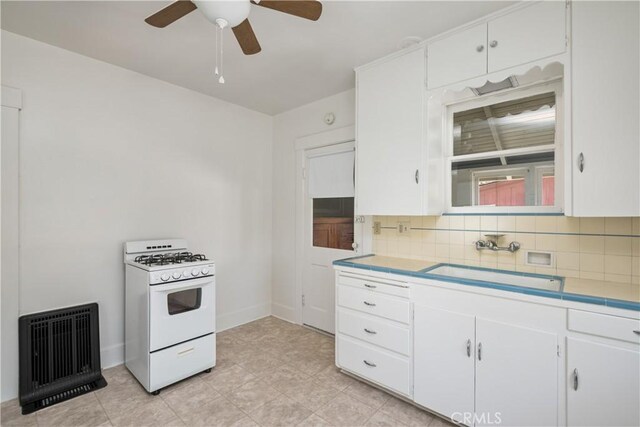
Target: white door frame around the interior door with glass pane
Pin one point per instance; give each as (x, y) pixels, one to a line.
(318, 140)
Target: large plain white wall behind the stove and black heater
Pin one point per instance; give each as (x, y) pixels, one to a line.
(108, 155)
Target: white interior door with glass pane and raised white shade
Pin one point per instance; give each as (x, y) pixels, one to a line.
(329, 229)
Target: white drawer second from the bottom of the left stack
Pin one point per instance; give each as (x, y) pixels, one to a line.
(374, 330)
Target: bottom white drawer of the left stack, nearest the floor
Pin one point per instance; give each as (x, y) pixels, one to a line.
(377, 365)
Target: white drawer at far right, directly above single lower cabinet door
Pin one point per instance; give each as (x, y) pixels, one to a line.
(619, 328)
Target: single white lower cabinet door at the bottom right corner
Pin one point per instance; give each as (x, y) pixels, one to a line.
(607, 390)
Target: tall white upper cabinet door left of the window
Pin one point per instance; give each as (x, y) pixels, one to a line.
(390, 122)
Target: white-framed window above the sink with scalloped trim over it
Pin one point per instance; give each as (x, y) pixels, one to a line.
(504, 150)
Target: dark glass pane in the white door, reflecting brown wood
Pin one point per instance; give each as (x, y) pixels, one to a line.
(333, 223)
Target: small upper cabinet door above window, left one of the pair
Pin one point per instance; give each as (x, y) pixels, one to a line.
(458, 57)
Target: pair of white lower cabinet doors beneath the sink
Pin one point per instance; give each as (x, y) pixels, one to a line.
(482, 372)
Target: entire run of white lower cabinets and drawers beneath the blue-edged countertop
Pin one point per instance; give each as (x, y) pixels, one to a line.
(487, 360)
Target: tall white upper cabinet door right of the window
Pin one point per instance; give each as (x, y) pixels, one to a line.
(605, 108)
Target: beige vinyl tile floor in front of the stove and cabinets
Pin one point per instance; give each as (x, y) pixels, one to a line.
(269, 373)
